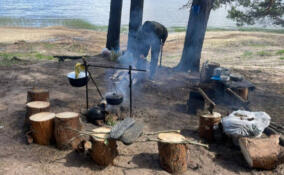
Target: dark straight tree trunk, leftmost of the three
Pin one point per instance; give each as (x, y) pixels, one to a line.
(113, 35)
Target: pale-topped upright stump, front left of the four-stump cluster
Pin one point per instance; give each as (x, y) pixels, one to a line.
(42, 127)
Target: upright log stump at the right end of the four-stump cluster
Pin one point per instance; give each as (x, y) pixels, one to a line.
(66, 130)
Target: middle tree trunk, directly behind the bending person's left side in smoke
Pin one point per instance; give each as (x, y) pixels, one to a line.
(135, 21)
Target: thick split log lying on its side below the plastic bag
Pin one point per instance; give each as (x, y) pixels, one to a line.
(261, 153)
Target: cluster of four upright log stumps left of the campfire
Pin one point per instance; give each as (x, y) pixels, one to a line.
(46, 127)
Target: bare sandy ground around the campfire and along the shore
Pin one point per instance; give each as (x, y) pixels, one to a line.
(160, 104)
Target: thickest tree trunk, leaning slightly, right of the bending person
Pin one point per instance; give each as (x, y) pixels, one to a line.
(197, 24)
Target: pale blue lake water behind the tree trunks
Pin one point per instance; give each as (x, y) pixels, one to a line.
(167, 12)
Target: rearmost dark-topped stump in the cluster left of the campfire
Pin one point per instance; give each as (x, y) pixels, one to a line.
(37, 95)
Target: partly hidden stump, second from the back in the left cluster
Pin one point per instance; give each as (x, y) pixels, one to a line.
(36, 107)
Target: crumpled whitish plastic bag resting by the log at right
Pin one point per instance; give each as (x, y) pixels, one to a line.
(245, 124)
